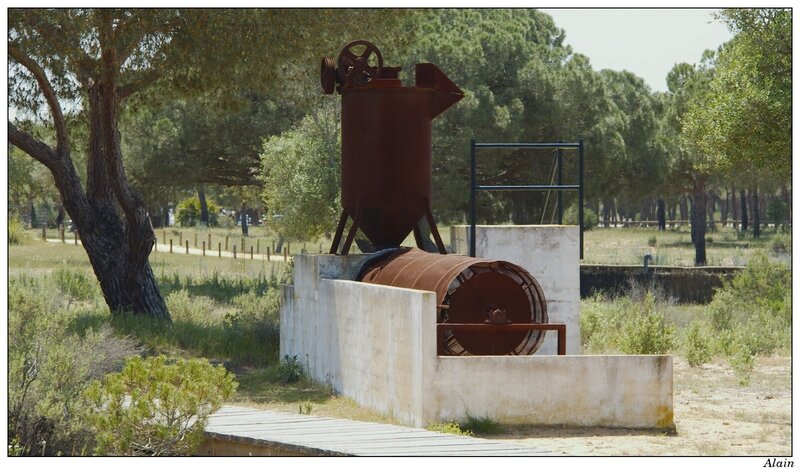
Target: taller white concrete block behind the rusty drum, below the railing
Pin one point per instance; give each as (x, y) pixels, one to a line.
(550, 254)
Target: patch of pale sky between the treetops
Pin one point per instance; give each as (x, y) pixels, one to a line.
(647, 42)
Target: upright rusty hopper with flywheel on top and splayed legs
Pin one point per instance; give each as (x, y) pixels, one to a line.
(386, 145)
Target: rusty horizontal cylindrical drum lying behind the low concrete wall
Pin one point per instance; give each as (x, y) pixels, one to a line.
(469, 291)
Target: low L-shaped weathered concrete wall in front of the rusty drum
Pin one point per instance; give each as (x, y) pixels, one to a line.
(377, 345)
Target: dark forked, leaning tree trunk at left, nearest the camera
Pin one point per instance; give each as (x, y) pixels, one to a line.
(118, 245)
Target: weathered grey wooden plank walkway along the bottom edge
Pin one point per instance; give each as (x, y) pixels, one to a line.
(245, 431)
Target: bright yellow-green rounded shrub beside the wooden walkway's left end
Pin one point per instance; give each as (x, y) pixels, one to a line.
(156, 406)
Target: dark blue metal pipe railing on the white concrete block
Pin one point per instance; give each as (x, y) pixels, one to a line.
(559, 187)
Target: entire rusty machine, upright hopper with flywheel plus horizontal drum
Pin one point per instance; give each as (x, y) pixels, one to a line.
(484, 307)
